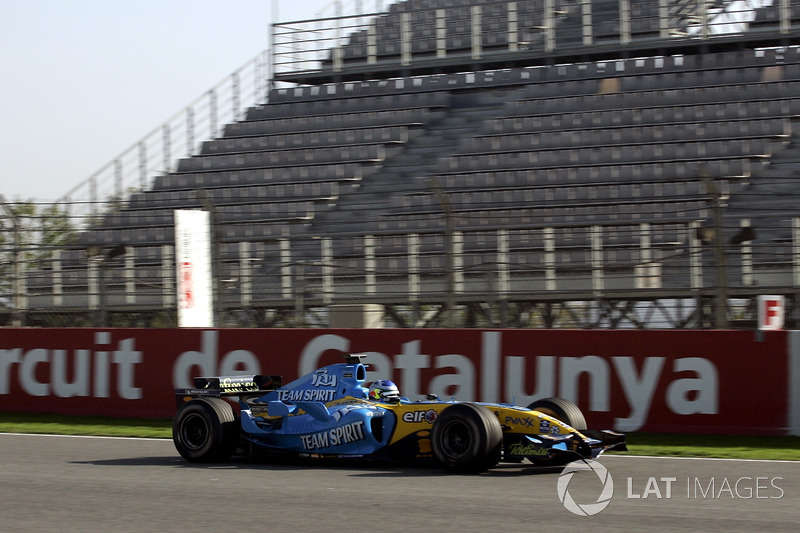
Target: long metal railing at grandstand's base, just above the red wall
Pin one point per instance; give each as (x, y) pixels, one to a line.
(135, 285)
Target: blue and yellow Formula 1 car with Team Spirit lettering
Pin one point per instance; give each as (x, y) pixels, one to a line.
(329, 413)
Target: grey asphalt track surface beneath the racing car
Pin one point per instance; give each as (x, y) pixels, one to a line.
(51, 483)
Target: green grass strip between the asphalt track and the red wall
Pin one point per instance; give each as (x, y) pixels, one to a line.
(657, 444)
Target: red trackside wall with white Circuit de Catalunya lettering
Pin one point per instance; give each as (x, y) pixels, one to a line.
(687, 381)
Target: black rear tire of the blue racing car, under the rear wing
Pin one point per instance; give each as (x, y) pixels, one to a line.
(206, 430)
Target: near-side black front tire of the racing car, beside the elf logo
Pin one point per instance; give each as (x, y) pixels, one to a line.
(467, 438)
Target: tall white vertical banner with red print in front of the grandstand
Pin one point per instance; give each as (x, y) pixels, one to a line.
(193, 268)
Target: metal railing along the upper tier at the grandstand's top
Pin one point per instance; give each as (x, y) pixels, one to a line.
(409, 37)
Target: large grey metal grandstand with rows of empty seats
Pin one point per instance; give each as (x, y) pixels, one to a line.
(542, 163)
